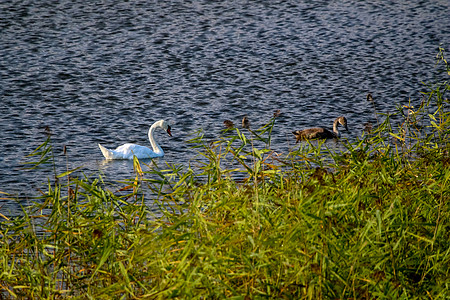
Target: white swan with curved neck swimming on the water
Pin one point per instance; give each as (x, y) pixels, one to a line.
(127, 151)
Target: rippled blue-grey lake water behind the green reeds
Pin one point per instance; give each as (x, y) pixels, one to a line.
(104, 71)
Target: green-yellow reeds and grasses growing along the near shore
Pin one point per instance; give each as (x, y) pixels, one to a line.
(370, 221)
